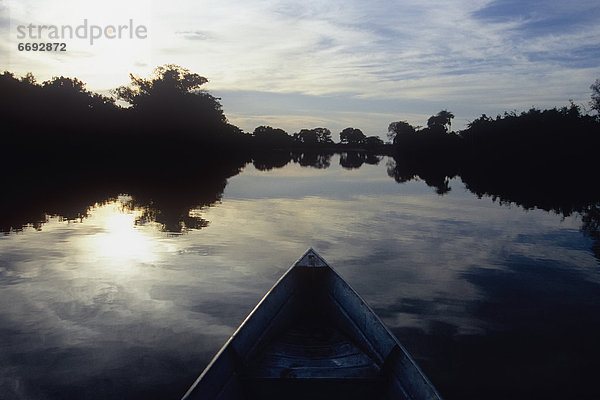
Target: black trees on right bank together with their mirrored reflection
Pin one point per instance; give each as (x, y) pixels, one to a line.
(542, 159)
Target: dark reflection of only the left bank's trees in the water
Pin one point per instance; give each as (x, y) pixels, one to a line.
(156, 196)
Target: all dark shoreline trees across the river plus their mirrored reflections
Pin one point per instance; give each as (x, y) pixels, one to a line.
(173, 149)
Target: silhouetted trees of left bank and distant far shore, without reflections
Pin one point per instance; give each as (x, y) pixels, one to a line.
(169, 106)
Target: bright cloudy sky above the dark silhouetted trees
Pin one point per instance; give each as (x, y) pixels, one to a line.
(332, 64)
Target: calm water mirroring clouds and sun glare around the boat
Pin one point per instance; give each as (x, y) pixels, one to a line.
(492, 300)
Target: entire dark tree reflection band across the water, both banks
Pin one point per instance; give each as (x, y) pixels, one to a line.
(172, 197)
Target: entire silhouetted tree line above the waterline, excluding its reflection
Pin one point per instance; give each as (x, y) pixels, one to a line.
(172, 105)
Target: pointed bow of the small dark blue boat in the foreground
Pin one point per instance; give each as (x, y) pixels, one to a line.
(312, 337)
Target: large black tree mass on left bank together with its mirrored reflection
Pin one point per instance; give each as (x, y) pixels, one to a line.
(70, 149)
